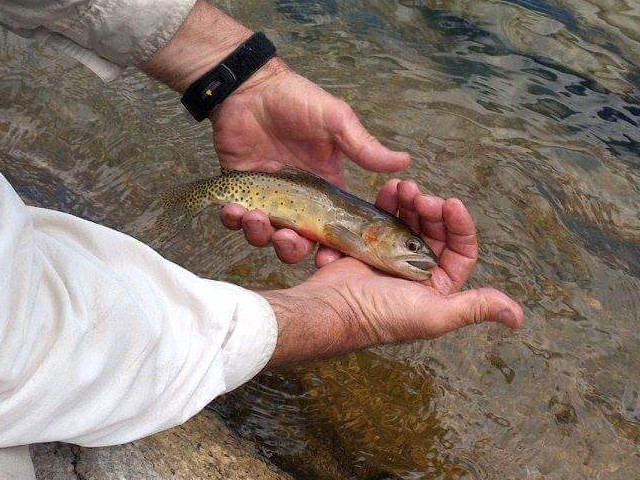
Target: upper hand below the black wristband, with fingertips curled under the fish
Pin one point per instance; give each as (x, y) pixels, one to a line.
(280, 118)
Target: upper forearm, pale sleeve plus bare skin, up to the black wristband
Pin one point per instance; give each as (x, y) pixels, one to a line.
(176, 41)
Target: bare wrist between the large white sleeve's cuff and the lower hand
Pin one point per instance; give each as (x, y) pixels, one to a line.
(313, 324)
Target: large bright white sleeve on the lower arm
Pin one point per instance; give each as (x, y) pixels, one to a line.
(102, 341)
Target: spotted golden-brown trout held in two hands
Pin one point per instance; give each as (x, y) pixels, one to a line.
(316, 209)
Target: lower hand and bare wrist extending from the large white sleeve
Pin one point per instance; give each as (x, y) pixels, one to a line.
(347, 305)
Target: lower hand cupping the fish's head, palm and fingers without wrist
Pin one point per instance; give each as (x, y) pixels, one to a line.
(399, 310)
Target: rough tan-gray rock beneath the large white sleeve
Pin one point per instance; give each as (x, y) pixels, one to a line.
(202, 448)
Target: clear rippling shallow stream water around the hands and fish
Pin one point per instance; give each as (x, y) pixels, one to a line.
(527, 110)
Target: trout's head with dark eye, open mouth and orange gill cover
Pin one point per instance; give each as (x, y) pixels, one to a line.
(399, 250)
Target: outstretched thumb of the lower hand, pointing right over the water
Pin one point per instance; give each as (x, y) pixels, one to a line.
(478, 306)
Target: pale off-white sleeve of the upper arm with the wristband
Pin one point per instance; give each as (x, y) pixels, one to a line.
(102, 34)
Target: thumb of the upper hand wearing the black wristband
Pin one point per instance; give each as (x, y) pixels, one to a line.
(360, 146)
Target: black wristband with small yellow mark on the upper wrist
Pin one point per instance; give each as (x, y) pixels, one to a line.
(215, 86)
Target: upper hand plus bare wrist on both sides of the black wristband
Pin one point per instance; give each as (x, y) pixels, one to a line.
(275, 118)
